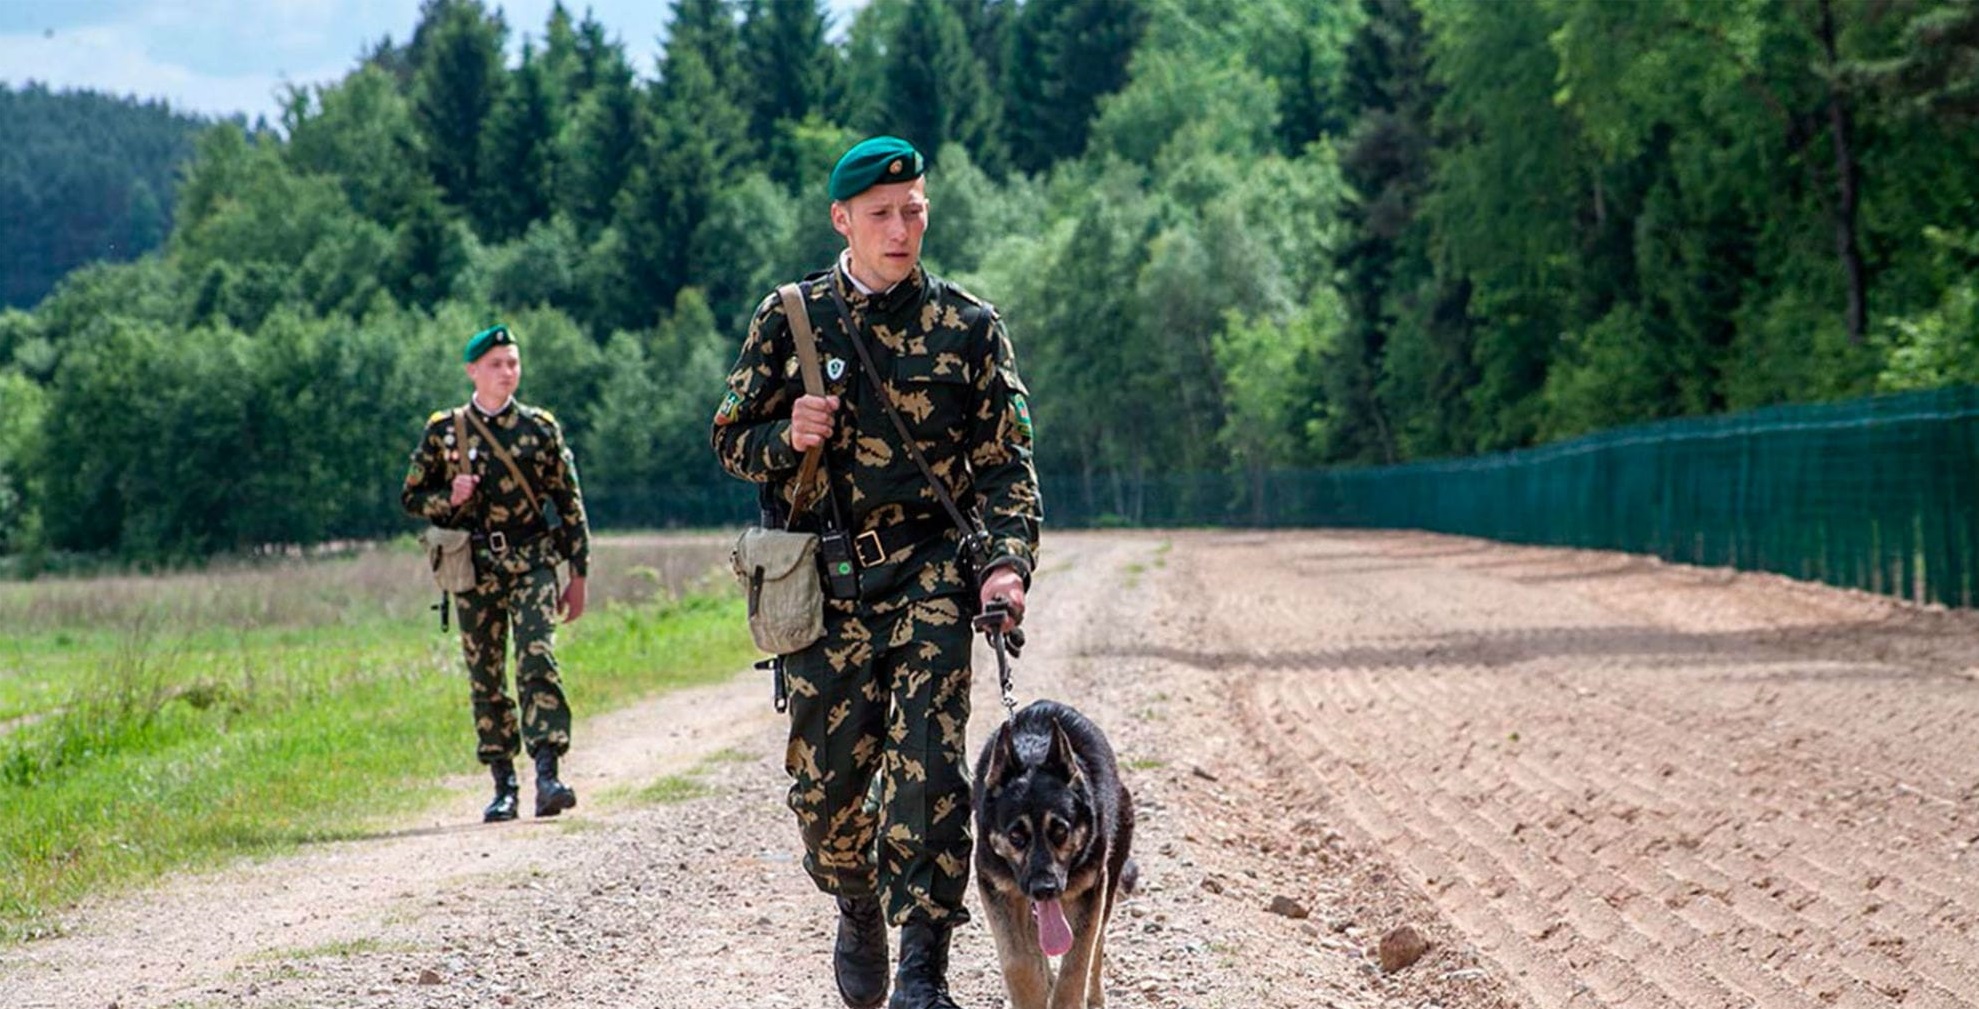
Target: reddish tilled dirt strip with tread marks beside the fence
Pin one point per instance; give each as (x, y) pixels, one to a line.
(1630, 804)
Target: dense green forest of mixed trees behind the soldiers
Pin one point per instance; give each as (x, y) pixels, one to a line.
(1228, 236)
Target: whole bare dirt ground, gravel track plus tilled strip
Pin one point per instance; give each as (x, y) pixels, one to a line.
(1586, 779)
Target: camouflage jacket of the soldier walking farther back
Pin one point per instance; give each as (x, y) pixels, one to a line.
(537, 446)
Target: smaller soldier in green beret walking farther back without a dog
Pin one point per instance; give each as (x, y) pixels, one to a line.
(460, 482)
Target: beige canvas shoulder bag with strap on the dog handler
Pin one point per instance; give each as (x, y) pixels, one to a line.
(779, 567)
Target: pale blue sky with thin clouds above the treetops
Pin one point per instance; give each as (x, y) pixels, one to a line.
(235, 56)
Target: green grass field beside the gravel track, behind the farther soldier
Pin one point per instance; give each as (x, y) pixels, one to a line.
(149, 737)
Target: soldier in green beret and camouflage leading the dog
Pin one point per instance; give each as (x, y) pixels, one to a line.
(886, 695)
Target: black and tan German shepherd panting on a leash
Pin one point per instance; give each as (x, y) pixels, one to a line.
(1054, 834)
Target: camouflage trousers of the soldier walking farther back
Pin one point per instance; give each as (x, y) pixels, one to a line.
(516, 598)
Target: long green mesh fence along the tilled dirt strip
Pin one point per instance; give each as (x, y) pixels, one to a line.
(1875, 494)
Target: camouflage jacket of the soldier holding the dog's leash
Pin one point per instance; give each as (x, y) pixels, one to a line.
(951, 371)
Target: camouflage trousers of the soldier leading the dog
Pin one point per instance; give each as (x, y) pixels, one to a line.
(880, 713)
